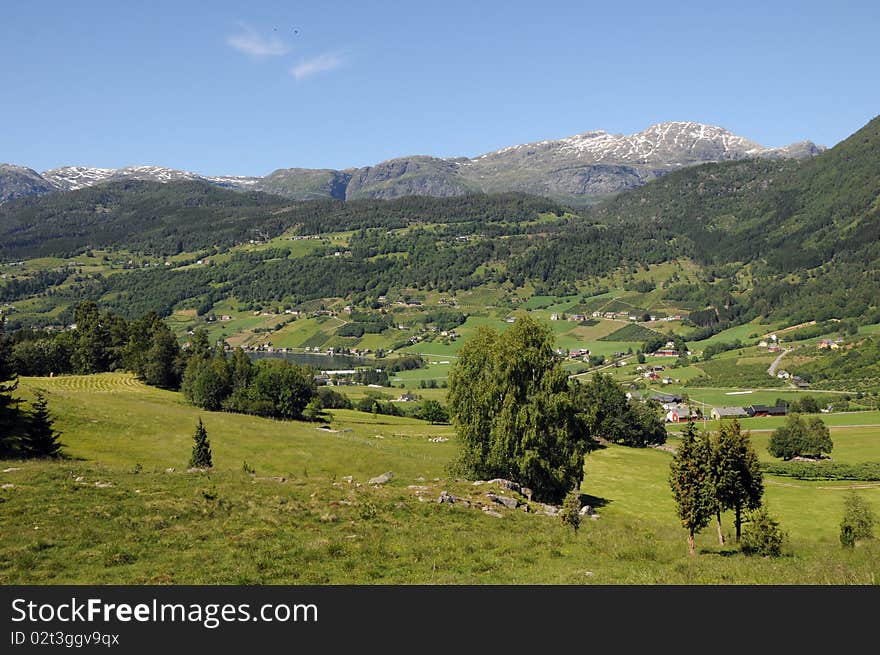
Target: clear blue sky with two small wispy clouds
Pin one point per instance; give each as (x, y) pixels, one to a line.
(246, 88)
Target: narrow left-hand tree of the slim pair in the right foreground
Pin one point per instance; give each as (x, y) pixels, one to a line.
(690, 478)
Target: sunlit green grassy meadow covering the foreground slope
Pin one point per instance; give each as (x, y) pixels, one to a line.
(114, 511)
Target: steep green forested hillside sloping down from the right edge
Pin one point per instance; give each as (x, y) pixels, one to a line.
(799, 239)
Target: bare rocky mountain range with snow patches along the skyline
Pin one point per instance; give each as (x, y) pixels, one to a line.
(580, 169)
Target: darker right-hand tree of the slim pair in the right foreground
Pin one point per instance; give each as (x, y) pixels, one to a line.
(737, 480)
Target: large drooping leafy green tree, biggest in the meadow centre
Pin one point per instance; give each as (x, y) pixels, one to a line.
(514, 410)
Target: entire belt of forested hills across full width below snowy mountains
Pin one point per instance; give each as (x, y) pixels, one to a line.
(797, 240)
